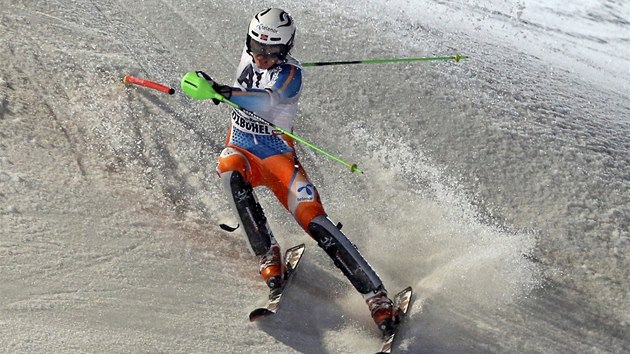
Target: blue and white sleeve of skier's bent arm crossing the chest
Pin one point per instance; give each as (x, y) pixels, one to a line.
(286, 86)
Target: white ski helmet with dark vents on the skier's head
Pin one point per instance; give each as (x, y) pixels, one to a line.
(271, 32)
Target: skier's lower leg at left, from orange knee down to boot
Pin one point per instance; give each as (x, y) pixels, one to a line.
(241, 196)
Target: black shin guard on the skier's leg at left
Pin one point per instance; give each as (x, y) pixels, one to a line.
(250, 213)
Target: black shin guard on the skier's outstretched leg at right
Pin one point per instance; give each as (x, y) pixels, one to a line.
(345, 255)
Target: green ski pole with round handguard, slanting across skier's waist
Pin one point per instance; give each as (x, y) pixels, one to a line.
(200, 89)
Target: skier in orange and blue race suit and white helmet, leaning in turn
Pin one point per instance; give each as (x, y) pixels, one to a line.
(268, 83)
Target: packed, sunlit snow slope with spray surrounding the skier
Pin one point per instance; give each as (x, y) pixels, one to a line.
(498, 187)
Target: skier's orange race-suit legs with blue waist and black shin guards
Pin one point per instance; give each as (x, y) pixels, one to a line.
(251, 160)
